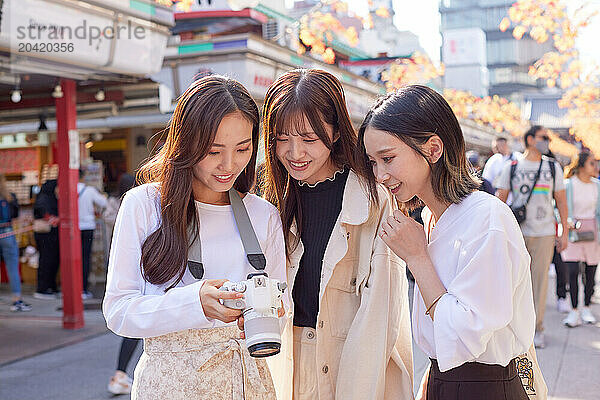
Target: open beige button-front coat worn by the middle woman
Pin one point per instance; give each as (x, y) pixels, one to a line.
(363, 329)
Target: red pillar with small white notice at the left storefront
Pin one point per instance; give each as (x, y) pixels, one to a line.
(67, 140)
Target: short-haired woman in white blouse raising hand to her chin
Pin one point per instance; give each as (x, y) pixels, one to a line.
(473, 306)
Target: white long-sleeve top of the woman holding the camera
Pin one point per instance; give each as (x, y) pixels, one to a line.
(135, 308)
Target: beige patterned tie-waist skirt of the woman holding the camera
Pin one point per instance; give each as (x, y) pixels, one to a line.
(201, 364)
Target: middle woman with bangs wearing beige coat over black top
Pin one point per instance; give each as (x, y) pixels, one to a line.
(351, 333)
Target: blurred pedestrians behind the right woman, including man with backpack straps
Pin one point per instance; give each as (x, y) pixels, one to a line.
(546, 201)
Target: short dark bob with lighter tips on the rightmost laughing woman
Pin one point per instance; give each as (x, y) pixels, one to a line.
(413, 114)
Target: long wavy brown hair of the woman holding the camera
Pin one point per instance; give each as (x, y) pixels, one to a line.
(191, 133)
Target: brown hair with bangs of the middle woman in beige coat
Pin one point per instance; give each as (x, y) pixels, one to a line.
(318, 96)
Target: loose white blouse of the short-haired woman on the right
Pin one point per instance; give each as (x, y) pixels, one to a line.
(487, 315)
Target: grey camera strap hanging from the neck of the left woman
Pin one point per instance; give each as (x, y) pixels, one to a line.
(256, 258)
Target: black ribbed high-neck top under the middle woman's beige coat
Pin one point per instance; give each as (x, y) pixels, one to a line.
(321, 204)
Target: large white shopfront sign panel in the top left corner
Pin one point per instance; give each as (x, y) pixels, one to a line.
(91, 37)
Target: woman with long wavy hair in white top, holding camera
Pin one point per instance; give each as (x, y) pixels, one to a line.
(191, 342)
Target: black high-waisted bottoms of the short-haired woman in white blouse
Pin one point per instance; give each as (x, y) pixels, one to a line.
(475, 381)
